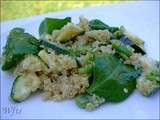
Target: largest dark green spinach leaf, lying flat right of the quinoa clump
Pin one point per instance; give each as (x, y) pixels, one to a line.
(113, 80)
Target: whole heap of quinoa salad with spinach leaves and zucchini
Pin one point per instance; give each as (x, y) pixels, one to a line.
(90, 62)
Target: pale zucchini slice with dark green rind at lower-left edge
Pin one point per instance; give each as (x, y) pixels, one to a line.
(23, 86)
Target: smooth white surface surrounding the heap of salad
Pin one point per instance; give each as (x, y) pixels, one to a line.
(141, 18)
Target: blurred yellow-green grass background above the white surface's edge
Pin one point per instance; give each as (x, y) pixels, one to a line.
(18, 9)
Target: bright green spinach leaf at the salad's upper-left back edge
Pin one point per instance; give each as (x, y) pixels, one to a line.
(50, 24)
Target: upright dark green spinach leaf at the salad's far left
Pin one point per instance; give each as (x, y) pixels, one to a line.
(18, 44)
